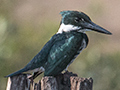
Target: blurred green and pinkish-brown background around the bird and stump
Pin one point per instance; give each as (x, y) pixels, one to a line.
(26, 25)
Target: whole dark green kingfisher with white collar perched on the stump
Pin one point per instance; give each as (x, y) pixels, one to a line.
(64, 46)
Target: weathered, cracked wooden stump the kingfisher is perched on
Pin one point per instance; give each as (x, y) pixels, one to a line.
(66, 81)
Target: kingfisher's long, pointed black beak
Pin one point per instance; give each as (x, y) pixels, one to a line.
(97, 28)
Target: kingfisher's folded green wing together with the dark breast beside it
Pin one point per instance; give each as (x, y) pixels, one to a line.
(64, 50)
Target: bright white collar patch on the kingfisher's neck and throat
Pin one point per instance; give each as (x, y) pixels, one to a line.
(67, 28)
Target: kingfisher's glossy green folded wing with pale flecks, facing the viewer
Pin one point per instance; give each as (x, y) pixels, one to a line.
(61, 54)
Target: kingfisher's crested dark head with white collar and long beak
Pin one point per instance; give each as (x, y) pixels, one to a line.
(78, 21)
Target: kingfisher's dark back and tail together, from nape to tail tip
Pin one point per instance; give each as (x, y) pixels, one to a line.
(39, 60)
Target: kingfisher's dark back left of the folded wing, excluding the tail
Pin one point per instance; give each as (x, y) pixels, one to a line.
(41, 58)
